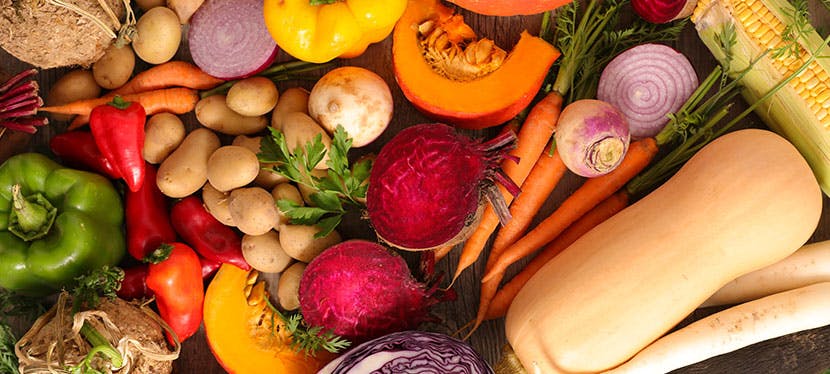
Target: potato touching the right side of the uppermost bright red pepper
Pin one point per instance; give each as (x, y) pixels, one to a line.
(163, 132)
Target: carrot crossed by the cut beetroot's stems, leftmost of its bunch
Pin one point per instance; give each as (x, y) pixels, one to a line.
(532, 137)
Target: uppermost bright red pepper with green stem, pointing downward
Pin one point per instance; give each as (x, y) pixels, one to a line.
(118, 128)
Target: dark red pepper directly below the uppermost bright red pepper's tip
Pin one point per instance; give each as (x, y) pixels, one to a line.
(148, 221)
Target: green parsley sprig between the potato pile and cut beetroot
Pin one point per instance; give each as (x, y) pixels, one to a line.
(344, 186)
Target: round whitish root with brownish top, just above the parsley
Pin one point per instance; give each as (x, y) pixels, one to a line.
(354, 97)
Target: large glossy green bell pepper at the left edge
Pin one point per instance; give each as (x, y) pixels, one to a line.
(55, 224)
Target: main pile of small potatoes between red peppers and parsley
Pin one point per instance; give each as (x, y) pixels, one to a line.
(237, 189)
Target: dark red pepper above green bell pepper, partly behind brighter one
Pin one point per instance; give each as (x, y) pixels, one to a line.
(78, 149)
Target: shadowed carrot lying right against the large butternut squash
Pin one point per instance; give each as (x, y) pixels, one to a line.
(496, 305)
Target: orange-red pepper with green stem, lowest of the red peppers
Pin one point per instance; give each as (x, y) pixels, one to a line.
(177, 283)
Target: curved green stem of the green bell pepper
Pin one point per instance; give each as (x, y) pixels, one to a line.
(31, 217)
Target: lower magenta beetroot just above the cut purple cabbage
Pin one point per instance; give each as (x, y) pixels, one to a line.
(360, 291)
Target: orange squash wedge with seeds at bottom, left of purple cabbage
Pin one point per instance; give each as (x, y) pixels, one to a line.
(244, 334)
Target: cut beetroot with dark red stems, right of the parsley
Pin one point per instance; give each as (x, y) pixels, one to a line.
(426, 185)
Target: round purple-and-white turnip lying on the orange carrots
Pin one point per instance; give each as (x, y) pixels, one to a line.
(592, 137)
